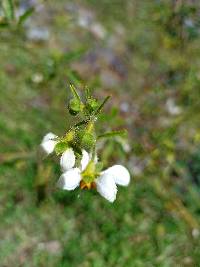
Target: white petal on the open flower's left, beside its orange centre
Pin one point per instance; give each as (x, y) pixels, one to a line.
(69, 180)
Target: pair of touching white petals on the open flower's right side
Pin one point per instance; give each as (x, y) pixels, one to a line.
(107, 181)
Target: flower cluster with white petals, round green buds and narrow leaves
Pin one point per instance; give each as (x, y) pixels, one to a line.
(77, 149)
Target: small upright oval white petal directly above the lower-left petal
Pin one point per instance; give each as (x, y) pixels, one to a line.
(67, 160)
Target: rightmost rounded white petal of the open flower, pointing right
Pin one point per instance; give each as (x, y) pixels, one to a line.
(120, 174)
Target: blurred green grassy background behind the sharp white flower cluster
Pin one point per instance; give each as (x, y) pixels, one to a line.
(146, 54)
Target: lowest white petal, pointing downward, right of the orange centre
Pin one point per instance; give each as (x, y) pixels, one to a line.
(107, 187)
